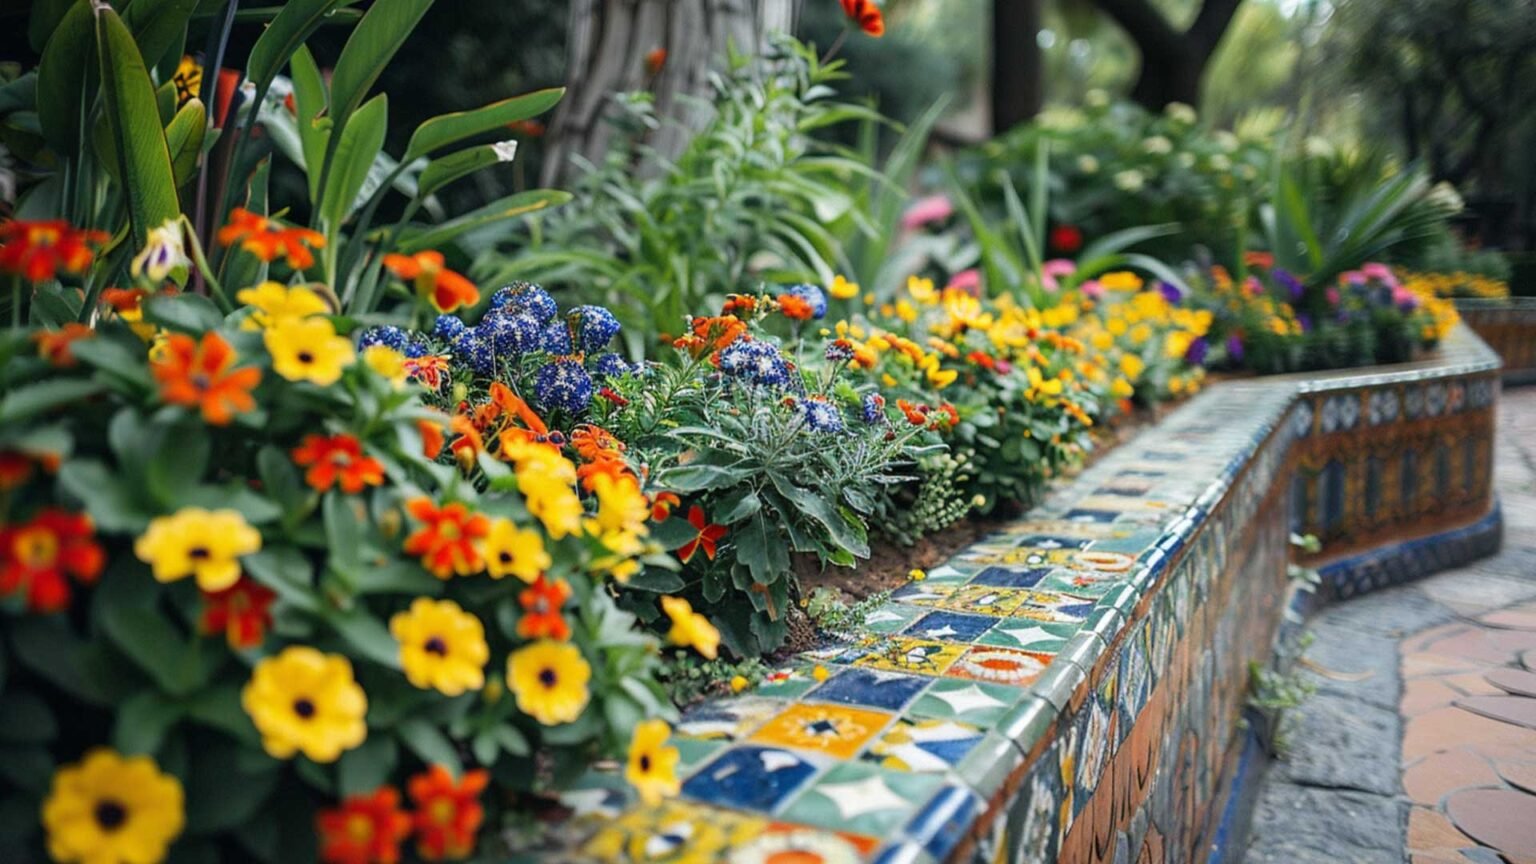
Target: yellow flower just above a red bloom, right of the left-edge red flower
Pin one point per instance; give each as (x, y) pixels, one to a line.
(197, 543)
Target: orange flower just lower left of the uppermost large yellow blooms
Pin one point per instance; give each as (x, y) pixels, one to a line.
(200, 374)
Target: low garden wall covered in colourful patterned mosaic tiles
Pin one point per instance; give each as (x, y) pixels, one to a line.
(1070, 688)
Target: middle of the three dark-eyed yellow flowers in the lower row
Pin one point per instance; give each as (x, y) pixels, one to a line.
(442, 648)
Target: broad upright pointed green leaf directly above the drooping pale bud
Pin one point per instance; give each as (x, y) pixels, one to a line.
(134, 121)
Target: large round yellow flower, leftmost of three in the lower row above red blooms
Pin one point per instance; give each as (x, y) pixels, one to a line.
(306, 702)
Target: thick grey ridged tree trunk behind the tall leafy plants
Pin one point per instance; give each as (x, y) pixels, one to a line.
(612, 50)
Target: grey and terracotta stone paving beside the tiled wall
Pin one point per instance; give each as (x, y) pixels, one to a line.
(1420, 745)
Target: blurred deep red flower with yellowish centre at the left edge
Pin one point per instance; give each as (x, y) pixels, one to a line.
(35, 557)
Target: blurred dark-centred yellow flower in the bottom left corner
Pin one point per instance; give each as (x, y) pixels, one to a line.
(108, 809)
